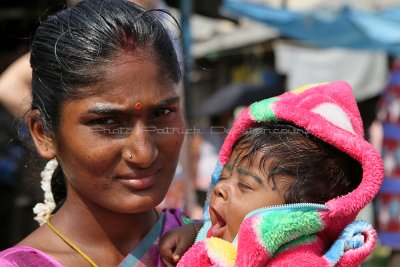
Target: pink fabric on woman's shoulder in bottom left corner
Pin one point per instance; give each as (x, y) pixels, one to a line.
(26, 256)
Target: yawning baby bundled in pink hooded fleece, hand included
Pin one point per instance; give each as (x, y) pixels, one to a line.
(292, 175)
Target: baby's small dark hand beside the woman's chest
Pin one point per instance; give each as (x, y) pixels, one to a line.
(176, 242)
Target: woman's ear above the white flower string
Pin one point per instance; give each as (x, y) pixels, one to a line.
(44, 143)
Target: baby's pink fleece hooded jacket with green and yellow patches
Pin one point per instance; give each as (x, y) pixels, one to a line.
(301, 234)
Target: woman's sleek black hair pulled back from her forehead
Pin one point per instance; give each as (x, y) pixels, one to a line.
(74, 48)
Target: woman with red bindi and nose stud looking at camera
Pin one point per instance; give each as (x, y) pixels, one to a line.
(104, 85)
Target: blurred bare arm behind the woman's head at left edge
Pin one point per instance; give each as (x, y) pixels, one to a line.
(15, 86)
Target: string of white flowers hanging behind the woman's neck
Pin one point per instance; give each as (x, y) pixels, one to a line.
(44, 210)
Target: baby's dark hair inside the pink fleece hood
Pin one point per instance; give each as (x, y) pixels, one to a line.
(307, 169)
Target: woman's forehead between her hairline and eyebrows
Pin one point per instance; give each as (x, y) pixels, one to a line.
(127, 83)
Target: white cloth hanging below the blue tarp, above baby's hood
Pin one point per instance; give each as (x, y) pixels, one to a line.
(365, 71)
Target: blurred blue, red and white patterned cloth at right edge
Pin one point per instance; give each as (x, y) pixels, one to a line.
(385, 135)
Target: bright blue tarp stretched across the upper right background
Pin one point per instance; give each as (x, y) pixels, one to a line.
(346, 27)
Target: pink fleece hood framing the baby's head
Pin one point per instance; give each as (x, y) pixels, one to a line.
(329, 112)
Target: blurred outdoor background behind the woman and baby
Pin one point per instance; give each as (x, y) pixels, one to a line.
(233, 52)
